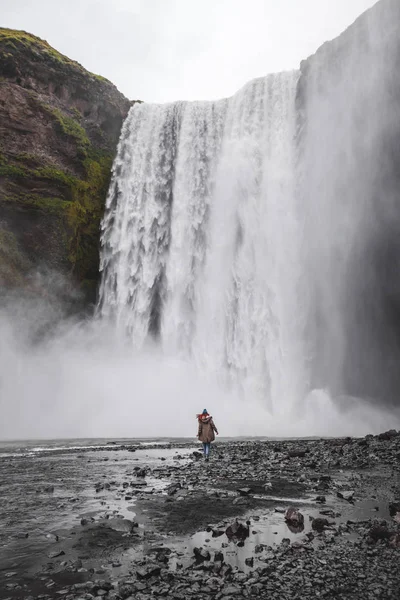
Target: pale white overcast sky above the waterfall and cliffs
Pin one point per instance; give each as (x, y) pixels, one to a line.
(164, 50)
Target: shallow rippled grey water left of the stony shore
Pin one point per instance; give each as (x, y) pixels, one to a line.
(48, 487)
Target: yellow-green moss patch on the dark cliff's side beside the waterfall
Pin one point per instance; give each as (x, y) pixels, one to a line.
(80, 202)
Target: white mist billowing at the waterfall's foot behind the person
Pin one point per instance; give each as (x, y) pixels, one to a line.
(63, 377)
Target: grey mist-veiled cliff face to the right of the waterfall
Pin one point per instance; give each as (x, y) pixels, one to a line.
(349, 130)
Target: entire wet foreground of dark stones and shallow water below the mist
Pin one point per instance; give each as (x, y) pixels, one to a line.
(262, 519)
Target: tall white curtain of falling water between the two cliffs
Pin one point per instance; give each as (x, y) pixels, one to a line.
(202, 237)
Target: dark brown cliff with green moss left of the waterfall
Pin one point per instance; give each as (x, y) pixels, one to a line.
(59, 127)
